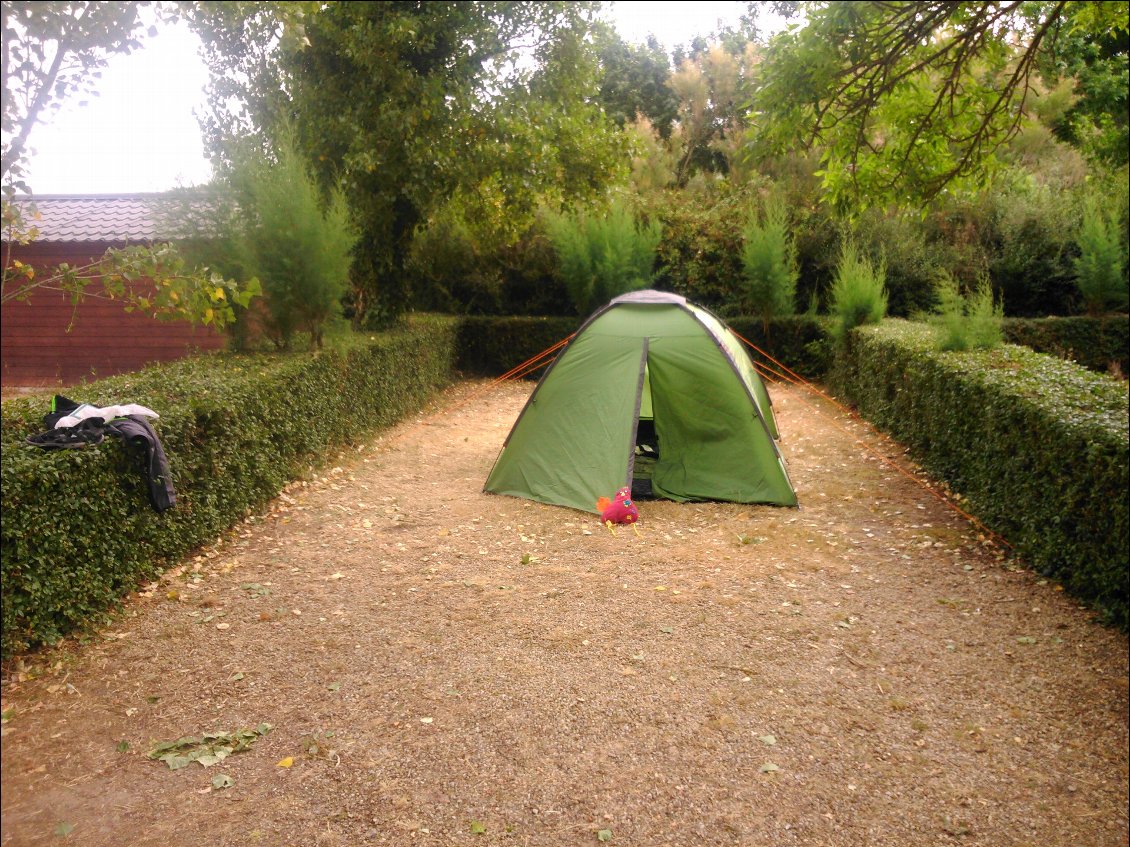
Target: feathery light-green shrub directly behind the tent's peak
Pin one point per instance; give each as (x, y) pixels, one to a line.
(603, 257)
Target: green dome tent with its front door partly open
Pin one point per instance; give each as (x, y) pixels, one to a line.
(651, 392)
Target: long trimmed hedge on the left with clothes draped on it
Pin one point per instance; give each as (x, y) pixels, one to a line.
(79, 531)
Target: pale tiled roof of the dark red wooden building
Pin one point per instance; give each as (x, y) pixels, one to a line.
(73, 219)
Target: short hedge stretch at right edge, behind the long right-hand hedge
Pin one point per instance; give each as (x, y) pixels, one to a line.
(1094, 343)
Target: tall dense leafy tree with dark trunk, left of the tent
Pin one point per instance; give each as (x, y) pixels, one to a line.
(397, 101)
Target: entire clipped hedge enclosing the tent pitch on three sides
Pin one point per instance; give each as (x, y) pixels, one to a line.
(79, 532)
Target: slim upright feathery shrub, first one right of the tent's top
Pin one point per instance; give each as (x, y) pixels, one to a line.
(769, 259)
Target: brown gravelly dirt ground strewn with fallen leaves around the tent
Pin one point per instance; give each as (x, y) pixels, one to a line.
(442, 667)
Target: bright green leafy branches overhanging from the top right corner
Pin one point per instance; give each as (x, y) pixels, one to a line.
(907, 98)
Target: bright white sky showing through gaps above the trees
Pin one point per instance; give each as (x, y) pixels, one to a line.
(141, 134)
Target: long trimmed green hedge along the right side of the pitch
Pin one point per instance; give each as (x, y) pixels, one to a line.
(1038, 446)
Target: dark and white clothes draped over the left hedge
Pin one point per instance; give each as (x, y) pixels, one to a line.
(77, 425)
